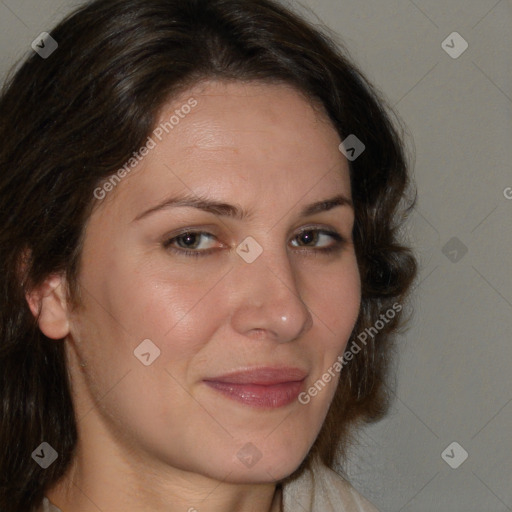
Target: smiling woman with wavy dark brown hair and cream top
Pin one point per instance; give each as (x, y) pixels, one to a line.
(201, 274)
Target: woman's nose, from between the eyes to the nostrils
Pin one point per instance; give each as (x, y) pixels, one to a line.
(268, 301)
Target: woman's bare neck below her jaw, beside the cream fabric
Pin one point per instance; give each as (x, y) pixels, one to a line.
(100, 488)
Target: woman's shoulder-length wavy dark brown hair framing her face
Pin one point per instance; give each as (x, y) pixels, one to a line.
(69, 121)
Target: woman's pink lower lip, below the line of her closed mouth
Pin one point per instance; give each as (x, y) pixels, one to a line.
(269, 397)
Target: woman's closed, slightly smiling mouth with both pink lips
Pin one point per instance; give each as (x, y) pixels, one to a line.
(267, 388)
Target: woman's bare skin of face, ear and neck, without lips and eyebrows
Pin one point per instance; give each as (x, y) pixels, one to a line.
(157, 437)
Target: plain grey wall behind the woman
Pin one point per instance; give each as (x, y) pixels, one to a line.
(454, 372)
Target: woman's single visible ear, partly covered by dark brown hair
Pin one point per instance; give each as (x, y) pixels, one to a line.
(50, 300)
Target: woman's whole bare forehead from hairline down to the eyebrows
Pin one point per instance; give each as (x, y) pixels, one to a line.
(244, 139)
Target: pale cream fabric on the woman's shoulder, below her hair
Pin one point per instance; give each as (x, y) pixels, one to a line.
(320, 489)
